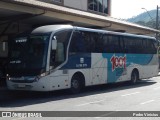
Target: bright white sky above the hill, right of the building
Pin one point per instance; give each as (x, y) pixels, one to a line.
(124, 9)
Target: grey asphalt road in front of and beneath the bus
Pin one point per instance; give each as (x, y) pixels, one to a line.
(143, 96)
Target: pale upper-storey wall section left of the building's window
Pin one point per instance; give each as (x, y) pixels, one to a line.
(78, 4)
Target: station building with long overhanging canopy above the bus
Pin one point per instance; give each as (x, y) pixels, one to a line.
(17, 16)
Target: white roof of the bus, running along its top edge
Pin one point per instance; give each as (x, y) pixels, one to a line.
(51, 28)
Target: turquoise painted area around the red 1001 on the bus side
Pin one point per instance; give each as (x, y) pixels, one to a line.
(140, 59)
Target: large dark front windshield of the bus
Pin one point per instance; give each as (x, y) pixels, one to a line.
(28, 55)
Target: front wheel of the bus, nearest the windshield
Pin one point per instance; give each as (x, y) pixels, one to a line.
(76, 85)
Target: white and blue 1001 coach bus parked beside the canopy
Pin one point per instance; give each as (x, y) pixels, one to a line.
(55, 57)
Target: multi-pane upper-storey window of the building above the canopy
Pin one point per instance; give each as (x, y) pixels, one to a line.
(98, 6)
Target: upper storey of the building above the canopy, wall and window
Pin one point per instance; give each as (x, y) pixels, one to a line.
(102, 7)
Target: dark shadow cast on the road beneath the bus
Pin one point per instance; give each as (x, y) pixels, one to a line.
(21, 98)
